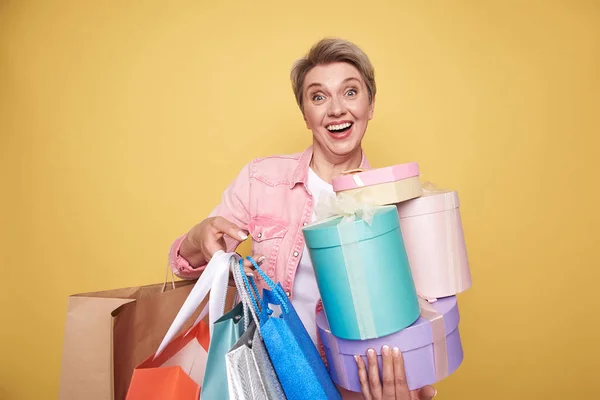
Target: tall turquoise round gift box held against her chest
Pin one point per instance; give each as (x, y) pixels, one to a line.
(363, 274)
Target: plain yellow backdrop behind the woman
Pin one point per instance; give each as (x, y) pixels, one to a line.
(121, 123)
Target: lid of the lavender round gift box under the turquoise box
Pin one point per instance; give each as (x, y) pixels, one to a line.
(417, 335)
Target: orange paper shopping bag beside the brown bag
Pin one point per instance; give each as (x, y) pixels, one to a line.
(177, 372)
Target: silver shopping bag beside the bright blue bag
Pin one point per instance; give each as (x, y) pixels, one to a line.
(250, 373)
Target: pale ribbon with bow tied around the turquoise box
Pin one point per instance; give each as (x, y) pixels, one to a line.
(331, 207)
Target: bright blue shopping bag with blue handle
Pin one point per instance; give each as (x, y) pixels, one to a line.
(290, 347)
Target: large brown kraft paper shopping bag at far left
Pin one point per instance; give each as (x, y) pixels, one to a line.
(108, 333)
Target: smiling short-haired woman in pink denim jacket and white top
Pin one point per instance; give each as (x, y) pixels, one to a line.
(273, 198)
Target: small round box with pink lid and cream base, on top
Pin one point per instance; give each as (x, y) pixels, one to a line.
(381, 186)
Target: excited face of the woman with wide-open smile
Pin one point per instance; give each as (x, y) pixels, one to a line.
(336, 107)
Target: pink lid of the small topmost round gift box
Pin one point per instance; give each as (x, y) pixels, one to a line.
(358, 178)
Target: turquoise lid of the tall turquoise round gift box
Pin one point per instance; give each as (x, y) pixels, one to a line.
(325, 234)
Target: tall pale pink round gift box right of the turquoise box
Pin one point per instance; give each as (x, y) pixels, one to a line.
(435, 244)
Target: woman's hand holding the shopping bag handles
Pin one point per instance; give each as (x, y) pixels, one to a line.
(208, 237)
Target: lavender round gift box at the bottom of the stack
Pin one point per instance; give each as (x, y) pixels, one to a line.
(415, 342)
